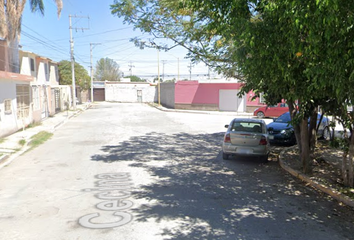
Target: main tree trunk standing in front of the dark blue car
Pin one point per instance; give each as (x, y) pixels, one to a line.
(305, 151)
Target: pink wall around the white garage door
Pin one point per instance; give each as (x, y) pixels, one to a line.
(192, 92)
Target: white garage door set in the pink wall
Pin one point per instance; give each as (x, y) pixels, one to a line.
(229, 101)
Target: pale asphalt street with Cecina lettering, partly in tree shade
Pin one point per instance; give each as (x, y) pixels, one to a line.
(130, 171)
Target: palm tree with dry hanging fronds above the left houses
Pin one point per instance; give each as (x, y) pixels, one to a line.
(10, 25)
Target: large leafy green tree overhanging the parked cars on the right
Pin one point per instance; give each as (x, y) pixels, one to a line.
(294, 50)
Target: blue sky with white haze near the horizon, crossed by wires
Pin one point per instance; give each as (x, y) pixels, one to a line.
(92, 22)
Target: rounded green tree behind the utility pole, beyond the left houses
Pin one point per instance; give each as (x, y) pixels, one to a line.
(82, 79)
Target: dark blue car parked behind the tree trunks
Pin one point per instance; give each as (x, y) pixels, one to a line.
(283, 132)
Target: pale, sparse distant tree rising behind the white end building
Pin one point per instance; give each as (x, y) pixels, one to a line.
(107, 69)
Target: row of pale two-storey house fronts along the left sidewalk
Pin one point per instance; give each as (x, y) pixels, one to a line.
(31, 95)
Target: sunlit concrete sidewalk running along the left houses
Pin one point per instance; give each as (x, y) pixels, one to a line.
(10, 147)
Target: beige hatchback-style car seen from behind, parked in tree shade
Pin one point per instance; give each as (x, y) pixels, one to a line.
(246, 137)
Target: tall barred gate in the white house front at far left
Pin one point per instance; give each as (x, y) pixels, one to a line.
(23, 98)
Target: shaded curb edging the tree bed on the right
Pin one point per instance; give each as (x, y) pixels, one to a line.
(330, 191)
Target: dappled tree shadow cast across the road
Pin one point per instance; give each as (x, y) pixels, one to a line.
(197, 195)
